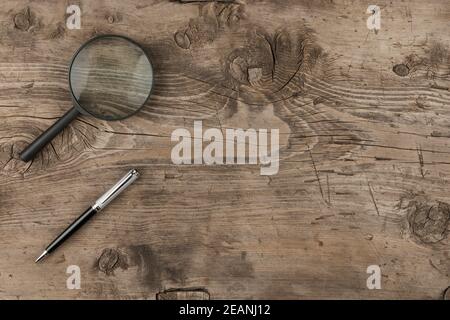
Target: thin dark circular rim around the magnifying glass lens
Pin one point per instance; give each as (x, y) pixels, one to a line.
(83, 46)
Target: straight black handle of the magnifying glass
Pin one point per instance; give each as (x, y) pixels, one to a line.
(48, 135)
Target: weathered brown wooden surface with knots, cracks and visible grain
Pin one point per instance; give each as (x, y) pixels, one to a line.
(364, 122)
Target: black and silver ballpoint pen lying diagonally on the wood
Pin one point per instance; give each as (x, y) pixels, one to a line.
(101, 202)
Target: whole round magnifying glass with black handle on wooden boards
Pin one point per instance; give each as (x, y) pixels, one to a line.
(110, 78)
